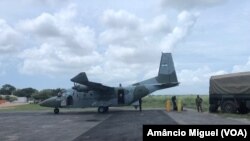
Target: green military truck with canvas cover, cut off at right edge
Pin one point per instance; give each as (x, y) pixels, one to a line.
(230, 93)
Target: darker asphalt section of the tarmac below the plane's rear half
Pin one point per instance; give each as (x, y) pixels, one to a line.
(125, 126)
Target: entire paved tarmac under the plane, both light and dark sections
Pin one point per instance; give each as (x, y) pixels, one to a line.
(78, 125)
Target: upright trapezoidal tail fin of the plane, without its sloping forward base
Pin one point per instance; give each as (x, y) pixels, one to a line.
(166, 72)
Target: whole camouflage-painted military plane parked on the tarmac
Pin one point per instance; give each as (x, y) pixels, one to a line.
(85, 93)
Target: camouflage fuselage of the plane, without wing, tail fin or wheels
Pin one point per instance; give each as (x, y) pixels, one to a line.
(119, 96)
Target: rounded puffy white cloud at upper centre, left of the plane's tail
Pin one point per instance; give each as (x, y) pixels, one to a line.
(122, 28)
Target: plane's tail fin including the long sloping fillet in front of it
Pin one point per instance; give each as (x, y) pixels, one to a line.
(166, 74)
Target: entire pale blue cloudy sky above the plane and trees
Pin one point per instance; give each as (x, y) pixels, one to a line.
(44, 43)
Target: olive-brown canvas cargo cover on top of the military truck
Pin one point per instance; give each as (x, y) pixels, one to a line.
(234, 83)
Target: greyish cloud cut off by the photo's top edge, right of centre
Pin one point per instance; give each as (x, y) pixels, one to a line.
(189, 4)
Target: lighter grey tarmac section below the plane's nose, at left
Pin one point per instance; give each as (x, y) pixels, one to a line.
(46, 126)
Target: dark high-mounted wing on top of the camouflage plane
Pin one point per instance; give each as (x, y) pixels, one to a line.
(82, 78)
